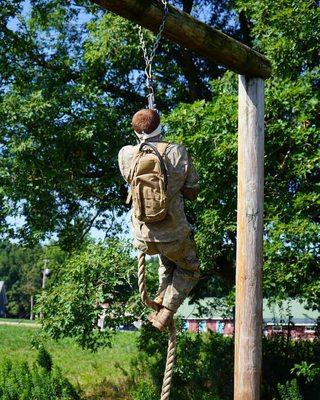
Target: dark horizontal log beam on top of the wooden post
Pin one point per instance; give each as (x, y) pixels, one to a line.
(193, 34)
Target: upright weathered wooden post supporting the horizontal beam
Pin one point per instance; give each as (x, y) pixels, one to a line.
(248, 334)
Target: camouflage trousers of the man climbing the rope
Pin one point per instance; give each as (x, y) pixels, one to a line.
(178, 269)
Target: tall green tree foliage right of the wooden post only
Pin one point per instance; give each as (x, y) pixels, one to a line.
(292, 145)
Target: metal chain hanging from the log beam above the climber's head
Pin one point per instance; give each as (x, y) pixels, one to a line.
(149, 58)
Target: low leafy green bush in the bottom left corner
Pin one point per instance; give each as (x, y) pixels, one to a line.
(20, 382)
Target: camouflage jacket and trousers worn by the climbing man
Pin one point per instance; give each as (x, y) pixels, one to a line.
(170, 238)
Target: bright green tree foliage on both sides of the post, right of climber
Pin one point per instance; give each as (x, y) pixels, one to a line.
(292, 233)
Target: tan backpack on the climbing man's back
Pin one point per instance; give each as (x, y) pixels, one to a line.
(149, 183)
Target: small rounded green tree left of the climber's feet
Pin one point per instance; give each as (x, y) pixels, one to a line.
(99, 273)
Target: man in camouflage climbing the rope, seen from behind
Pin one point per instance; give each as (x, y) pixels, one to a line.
(170, 234)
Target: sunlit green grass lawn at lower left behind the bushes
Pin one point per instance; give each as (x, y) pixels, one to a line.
(88, 370)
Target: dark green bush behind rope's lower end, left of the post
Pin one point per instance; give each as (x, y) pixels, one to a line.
(203, 369)
